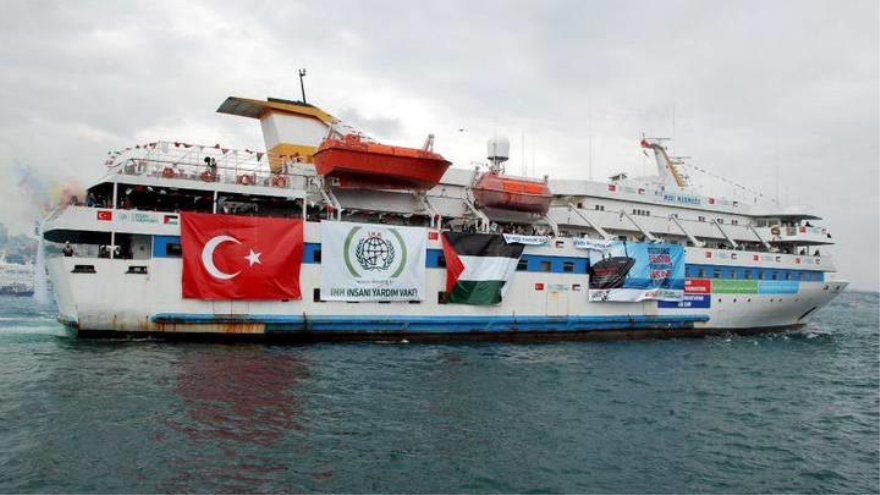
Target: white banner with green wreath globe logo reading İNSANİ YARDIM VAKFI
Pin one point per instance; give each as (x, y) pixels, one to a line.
(368, 262)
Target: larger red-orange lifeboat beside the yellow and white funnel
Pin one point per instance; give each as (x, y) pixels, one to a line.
(358, 163)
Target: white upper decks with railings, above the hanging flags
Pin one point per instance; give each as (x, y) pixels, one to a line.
(172, 177)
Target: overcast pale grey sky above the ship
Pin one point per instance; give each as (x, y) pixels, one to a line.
(745, 88)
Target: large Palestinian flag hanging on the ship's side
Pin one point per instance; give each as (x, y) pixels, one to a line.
(478, 267)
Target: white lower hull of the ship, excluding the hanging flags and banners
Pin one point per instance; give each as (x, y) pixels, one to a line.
(112, 301)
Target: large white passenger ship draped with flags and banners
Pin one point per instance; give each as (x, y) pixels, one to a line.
(330, 235)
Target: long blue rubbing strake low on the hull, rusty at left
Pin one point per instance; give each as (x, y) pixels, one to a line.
(435, 324)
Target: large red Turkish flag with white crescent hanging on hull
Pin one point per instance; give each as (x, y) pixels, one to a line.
(233, 257)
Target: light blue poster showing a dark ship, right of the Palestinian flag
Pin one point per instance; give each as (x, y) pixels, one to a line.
(640, 271)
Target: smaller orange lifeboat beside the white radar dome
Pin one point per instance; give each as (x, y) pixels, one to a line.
(494, 190)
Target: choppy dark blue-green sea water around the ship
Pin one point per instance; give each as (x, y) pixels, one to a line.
(793, 413)
